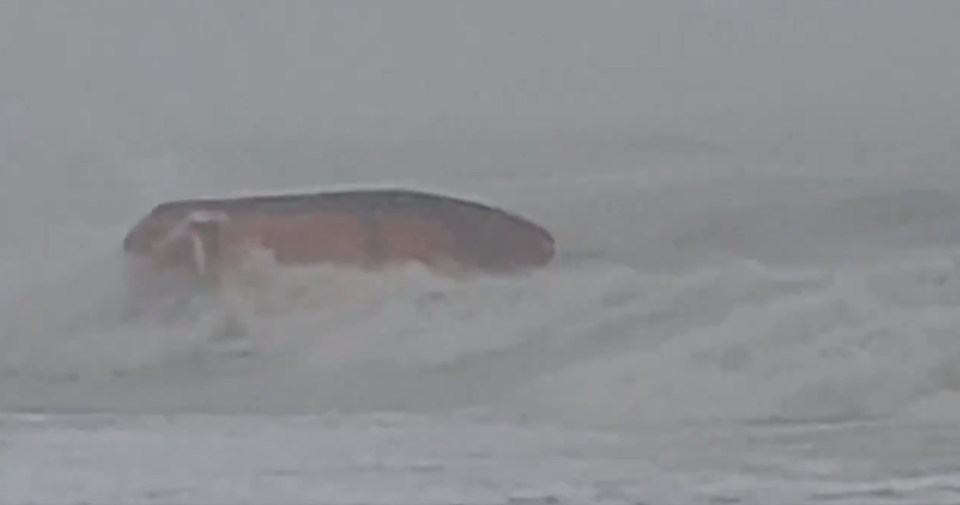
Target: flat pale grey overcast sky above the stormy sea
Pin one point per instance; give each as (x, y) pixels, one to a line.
(137, 71)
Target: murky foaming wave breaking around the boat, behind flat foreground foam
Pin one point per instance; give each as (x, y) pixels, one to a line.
(820, 304)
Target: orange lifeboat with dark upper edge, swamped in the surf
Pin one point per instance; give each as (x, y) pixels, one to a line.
(367, 228)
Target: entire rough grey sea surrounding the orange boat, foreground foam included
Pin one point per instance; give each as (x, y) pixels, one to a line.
(712, 332)
